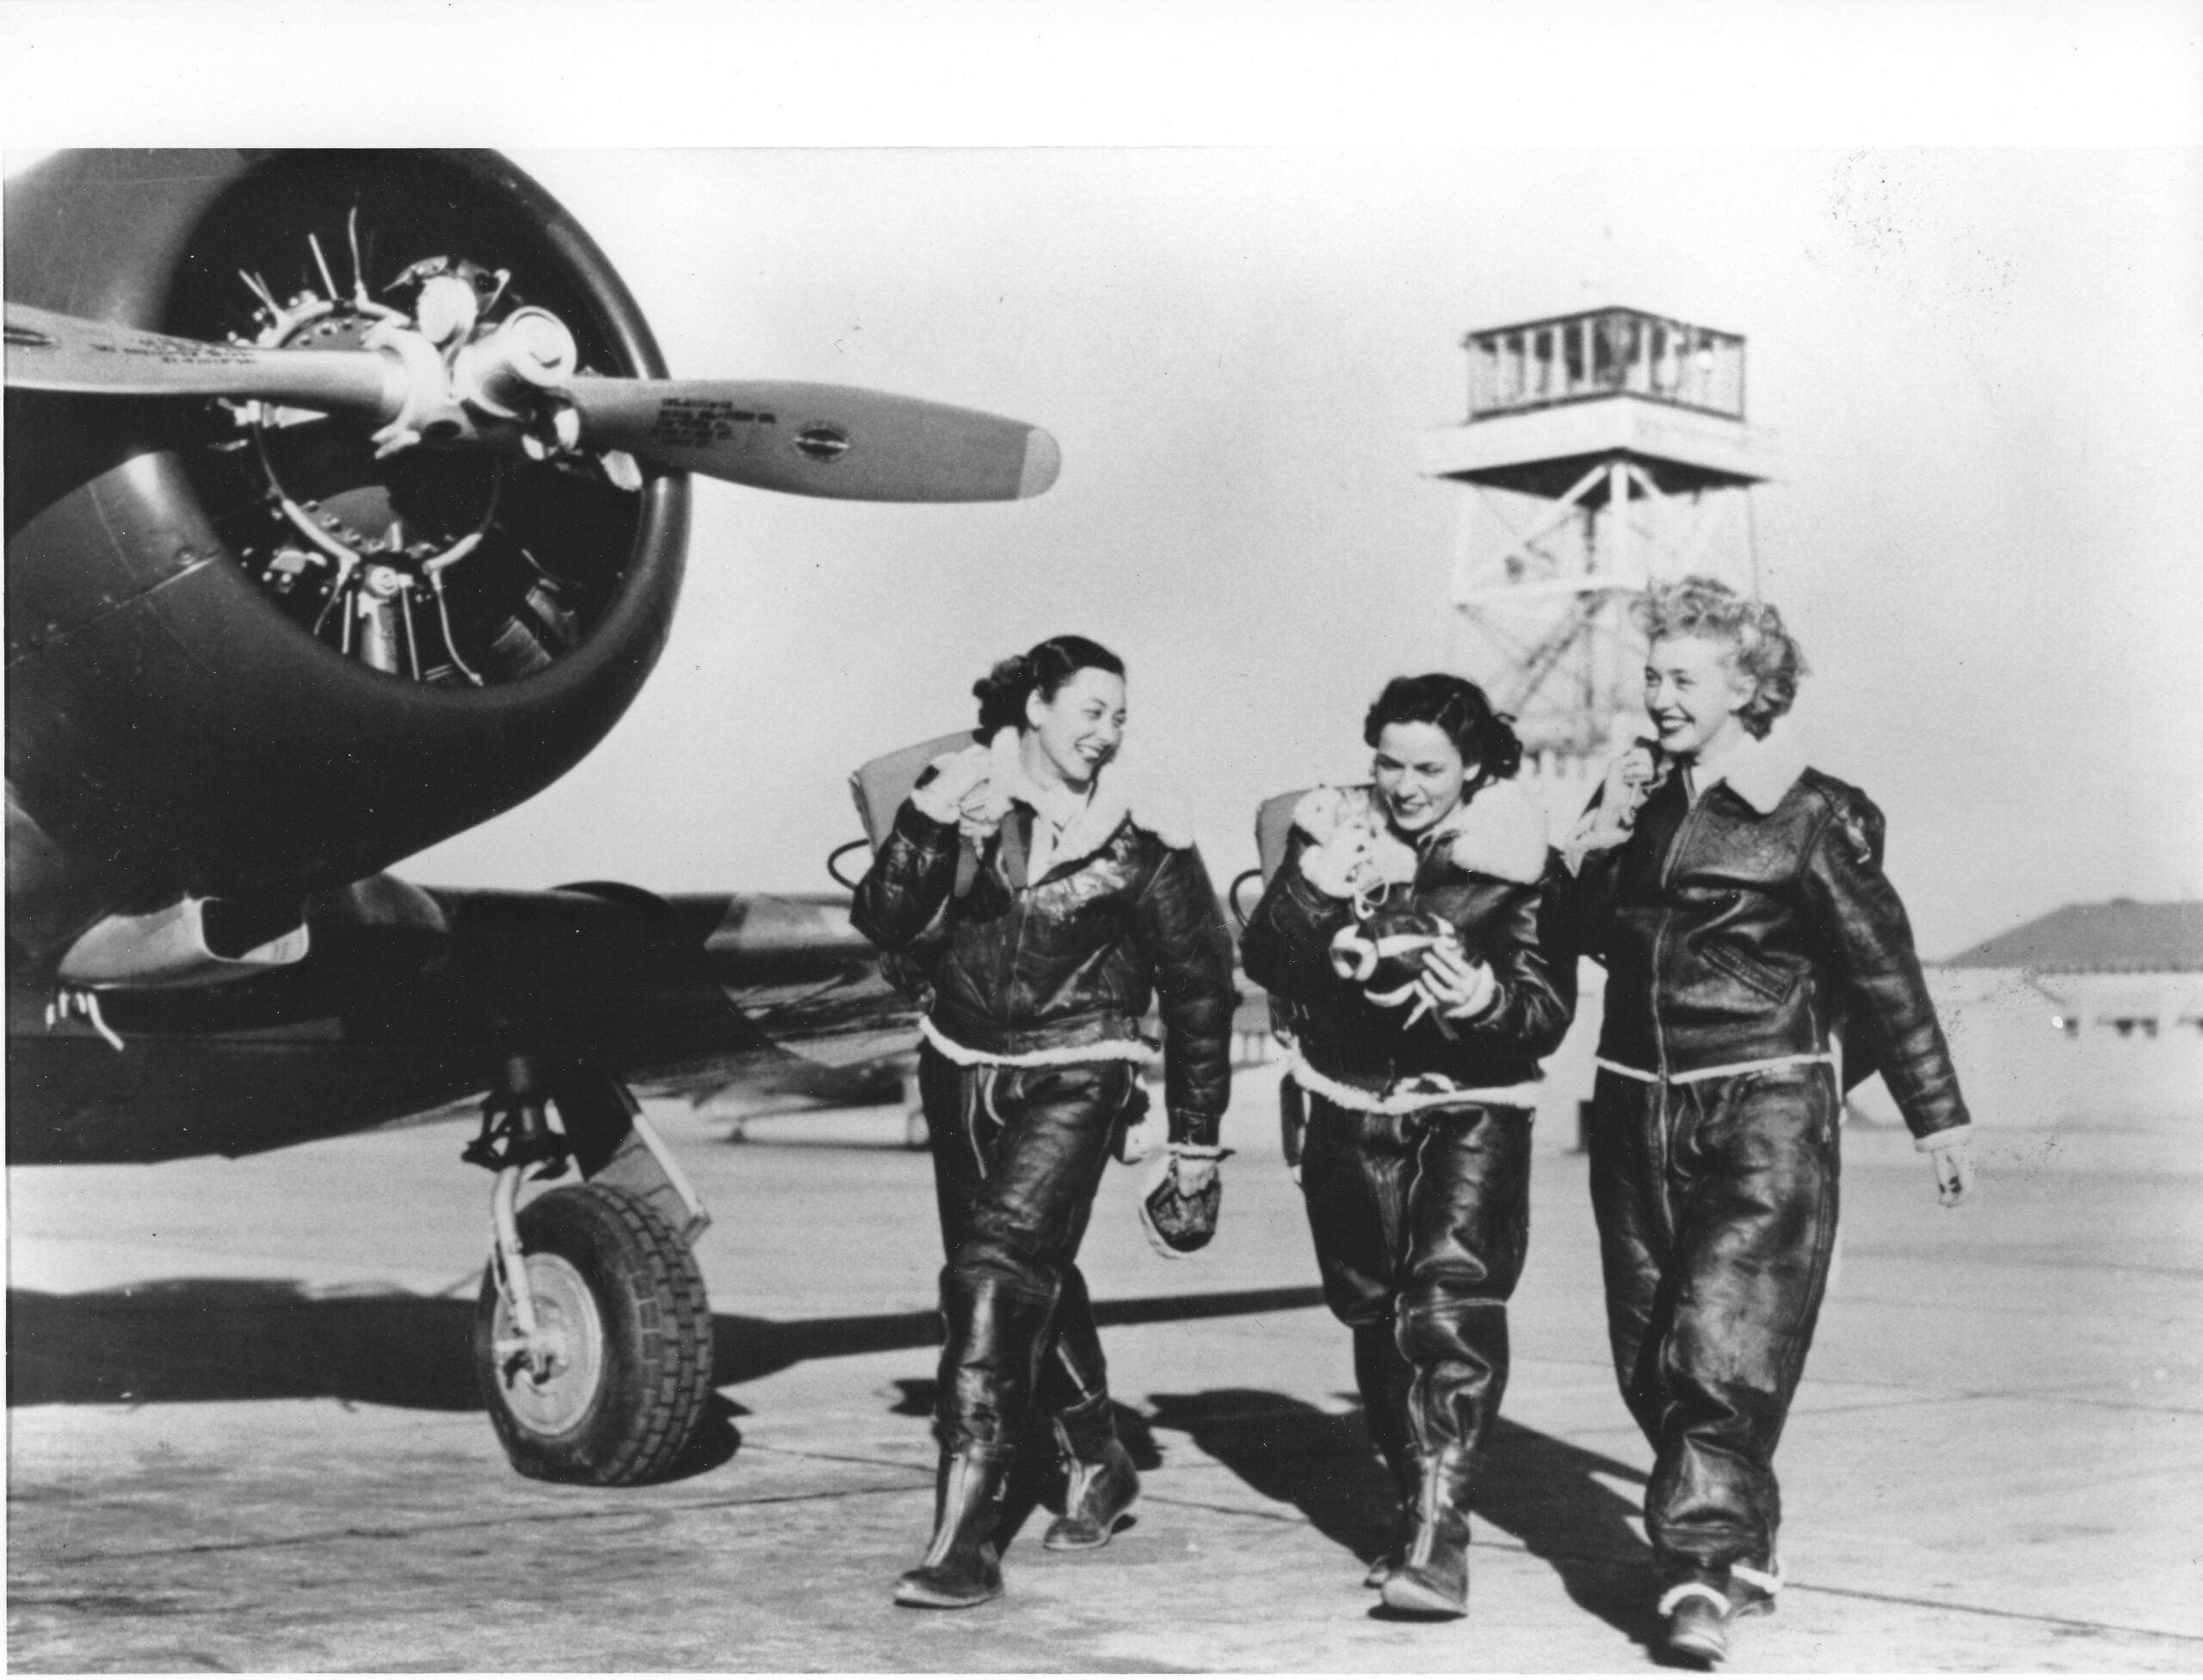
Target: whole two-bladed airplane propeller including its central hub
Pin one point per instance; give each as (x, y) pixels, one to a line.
(519, 378)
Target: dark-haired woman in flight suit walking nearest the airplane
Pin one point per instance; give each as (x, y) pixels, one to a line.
(1045, 892)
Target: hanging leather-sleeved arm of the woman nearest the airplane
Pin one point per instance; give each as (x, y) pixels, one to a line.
(1189, 949)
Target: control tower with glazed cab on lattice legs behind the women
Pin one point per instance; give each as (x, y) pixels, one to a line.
(1603, 451)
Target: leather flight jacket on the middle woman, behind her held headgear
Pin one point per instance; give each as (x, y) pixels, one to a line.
(1356, 1042)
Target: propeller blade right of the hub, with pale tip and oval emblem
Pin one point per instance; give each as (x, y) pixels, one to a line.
(818, 440)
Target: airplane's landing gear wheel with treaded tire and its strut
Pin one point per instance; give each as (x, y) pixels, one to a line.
(594, 1335)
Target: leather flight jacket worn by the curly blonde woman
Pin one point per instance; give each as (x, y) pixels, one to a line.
(1739, 931)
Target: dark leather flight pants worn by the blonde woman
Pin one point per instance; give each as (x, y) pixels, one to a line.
(1717, 1216)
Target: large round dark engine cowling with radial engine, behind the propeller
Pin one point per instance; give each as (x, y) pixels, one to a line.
(246, 656)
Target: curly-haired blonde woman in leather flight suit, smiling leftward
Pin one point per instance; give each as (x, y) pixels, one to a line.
(1755, 956)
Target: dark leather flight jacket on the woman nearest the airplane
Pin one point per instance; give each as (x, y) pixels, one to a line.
(1017, 967)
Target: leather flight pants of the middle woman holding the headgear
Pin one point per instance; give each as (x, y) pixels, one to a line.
(1420, 1227)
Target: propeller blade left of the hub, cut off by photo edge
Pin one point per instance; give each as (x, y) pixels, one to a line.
(47, 352)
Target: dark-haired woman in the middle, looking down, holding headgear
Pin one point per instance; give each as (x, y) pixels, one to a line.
(1404, 931)
